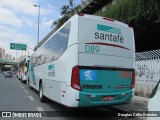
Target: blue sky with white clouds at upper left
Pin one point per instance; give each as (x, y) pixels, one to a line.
(19, 22)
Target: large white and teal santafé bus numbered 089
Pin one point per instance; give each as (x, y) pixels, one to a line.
(89, 61)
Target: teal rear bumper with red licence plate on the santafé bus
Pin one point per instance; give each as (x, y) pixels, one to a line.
(101, 99)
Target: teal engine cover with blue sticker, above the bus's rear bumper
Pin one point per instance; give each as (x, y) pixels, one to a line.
(105, 80)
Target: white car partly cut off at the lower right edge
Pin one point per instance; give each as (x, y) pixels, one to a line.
(154, 102)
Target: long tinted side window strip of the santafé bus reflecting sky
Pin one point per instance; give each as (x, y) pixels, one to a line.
(53, 48)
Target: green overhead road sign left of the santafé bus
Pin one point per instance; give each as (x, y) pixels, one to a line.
(16, 46)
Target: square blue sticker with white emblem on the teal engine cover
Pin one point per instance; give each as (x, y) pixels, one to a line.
(88, 75)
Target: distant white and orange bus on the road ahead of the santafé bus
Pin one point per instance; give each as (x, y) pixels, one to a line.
(22, 71)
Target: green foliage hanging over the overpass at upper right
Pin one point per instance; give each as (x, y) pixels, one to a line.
(134, 11)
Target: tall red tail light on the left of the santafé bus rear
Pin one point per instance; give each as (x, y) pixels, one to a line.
(75, 81)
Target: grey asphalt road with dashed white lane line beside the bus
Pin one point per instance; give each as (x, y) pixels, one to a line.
(17, 96)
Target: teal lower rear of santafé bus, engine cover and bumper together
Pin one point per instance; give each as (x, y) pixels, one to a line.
(105, 86)
